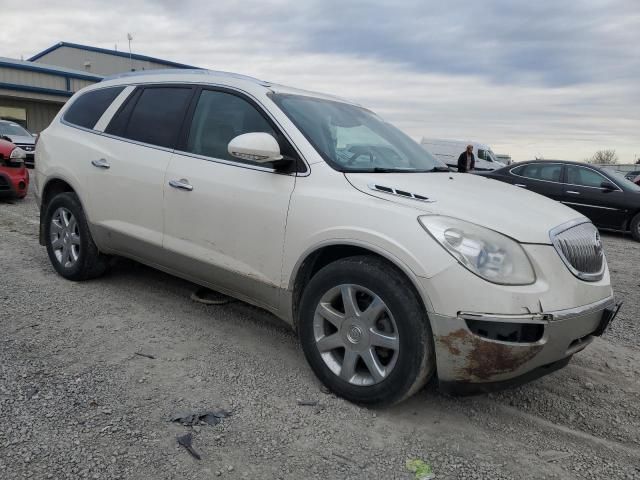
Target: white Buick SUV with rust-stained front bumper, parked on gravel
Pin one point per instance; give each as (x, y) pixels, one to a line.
(389, 267)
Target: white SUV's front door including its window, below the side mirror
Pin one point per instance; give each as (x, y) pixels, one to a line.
(225, 218)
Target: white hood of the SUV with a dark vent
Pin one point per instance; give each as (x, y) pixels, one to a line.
(525, 216)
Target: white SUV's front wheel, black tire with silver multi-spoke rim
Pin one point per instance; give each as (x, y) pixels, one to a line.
(365, 332)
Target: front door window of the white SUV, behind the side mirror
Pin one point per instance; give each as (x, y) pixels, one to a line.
(218, 118)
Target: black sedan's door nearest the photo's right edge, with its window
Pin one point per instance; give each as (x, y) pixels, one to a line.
(583, 192)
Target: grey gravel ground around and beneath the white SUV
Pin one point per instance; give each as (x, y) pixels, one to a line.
(76, 401)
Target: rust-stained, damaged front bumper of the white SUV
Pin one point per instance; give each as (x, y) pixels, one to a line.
(482, 352)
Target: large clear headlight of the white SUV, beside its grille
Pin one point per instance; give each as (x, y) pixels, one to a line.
(487, 253)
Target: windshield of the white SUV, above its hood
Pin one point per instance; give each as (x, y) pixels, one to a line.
(353, 139)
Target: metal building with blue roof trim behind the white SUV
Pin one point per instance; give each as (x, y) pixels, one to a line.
(33, 91)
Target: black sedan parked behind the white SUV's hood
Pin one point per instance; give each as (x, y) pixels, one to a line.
(608, 199)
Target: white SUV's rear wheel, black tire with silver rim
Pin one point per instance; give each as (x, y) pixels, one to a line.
(70, 246)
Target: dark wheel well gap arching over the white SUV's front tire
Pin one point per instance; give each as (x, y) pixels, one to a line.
(323, 257)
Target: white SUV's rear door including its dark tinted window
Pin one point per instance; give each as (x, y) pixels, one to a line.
(127, 171)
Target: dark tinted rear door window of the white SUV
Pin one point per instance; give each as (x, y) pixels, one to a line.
(156, 117)
